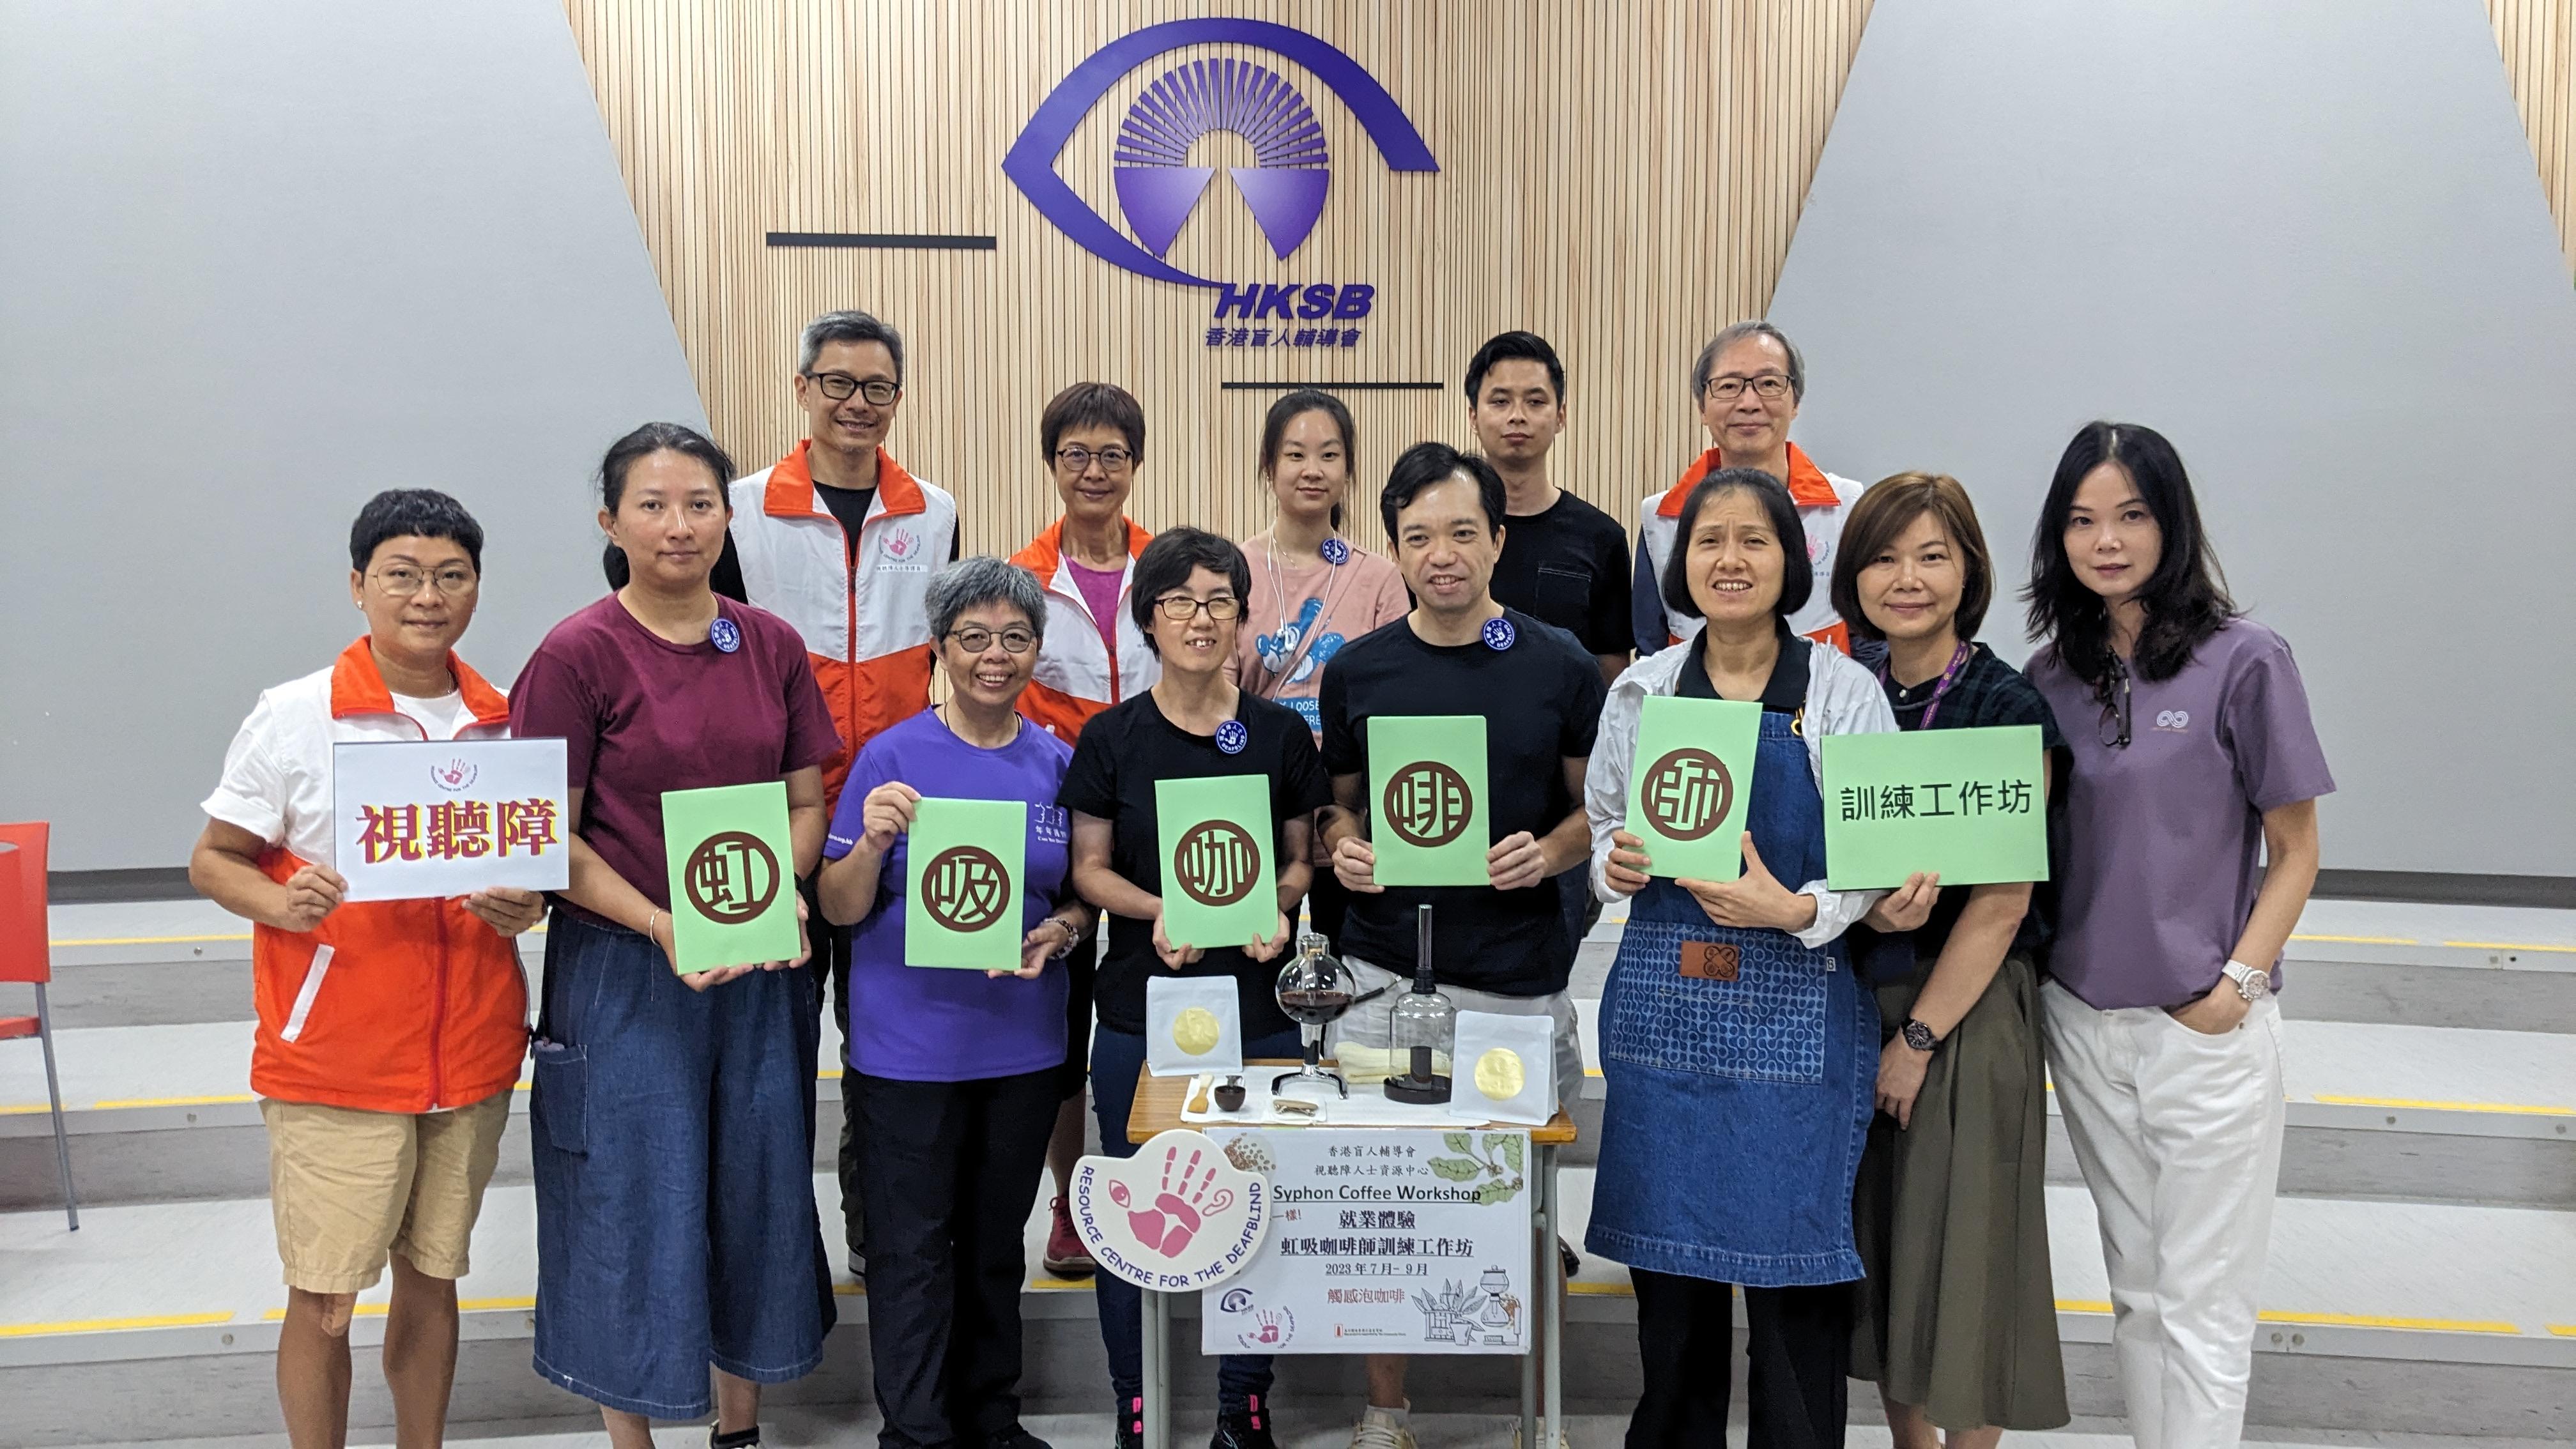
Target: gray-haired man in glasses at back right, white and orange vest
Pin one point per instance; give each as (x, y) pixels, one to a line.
(1748, 388)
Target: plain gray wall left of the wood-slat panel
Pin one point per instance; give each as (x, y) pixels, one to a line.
(261, 264)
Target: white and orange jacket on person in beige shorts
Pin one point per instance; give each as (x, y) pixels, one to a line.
(388, 1004)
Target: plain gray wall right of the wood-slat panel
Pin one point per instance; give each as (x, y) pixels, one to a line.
(2309, 244)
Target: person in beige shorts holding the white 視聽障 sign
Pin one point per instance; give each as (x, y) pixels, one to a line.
(385, 1094)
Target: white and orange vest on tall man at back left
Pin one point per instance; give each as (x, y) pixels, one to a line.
(864, 620)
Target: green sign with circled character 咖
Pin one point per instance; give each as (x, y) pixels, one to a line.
(1220, 886)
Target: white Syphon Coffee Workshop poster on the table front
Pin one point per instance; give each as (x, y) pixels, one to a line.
(1385, 1241)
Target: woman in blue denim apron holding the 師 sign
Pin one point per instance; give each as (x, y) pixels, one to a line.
(1738, 1045)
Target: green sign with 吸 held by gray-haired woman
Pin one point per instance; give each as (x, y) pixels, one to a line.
(962, 883)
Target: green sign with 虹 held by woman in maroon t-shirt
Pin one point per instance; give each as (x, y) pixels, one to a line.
(733, 875)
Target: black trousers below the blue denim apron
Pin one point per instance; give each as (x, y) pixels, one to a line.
(1802, 1350)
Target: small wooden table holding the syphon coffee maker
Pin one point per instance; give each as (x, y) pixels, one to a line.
(1158, 1110)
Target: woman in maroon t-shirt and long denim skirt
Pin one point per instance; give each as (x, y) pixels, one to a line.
(674, 1118)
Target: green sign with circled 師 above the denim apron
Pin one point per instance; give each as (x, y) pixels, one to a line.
(1689, 783)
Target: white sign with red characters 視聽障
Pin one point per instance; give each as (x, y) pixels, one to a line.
(434, 819)
